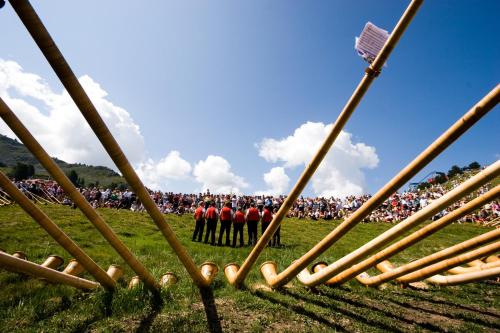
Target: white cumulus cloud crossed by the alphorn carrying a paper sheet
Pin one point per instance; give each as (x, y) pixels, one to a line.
(340, 173)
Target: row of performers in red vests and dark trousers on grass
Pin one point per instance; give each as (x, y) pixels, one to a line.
(207, 213)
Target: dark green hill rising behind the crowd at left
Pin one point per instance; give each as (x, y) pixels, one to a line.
(13, 152)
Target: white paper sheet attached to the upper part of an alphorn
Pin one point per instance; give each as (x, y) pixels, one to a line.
(371, 41)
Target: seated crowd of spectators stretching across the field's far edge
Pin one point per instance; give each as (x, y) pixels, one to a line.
(396, 208)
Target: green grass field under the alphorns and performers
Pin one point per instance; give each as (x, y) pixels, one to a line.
(28, 305)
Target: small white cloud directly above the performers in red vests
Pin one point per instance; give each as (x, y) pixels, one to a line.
(215, 174)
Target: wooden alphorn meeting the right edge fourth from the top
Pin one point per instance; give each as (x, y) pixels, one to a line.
(413, 266)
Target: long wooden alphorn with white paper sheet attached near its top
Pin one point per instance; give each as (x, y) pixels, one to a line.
(371, 73)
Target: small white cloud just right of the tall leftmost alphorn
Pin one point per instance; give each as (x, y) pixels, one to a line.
(157, 175)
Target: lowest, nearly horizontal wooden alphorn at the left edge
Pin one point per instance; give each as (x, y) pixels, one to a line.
(17, 265)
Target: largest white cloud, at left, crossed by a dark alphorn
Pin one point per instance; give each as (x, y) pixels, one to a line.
(56, 122)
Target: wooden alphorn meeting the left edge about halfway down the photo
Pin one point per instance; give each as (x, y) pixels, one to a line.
(53, 230)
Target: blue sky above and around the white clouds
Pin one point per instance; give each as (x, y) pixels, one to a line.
(218, 77)
